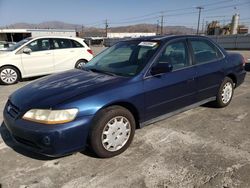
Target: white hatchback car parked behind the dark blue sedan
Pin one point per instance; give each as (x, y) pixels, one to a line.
(42, 55)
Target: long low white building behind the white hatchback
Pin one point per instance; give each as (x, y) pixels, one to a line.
(15, 35)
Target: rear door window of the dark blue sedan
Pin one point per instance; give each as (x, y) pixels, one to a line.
(205, 51)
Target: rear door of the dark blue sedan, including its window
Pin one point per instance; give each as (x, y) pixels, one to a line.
(209, 62)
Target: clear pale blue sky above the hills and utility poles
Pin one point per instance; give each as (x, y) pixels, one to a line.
(122, 12)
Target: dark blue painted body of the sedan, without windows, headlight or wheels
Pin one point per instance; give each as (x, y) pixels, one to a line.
(151, 96)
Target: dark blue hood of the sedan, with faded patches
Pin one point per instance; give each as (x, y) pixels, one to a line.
(53, 90)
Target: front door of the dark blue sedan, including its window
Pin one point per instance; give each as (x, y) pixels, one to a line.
(173, 90)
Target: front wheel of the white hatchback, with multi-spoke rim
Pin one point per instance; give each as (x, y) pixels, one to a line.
(9, 75)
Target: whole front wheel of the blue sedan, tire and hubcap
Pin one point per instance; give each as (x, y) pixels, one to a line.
(112, 131)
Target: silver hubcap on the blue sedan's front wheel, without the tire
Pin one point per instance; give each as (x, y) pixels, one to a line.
(116, 133)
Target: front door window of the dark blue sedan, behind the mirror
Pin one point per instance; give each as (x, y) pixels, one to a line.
(176, 54)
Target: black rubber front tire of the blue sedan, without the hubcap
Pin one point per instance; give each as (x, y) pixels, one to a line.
(101, 119)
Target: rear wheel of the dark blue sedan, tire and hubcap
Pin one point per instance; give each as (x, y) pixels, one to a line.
(225, 93)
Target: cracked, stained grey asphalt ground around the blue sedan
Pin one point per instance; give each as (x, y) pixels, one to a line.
(202, 147)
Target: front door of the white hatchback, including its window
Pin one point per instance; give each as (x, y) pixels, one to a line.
(40, 60)
